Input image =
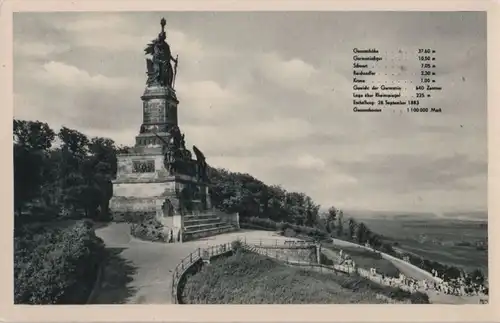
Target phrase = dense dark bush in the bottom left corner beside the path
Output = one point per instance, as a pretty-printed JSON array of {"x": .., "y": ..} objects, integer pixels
[{"x": 56, "y": 266}]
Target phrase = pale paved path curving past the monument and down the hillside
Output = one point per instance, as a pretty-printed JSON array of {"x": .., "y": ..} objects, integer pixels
[{"x": 140, "y": 272}]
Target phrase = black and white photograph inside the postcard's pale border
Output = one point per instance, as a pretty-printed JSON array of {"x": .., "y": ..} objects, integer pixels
[{"x": 250, "y": 157}]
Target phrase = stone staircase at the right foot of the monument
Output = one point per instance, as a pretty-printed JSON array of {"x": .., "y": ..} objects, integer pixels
[{"x": 205, "y": 225}]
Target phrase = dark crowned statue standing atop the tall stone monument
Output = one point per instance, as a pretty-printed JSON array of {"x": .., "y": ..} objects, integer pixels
[{"x": 160, "y": 71}]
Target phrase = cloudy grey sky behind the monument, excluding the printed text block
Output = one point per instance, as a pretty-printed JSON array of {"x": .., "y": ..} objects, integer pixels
[{"x": 270, "y": 94}]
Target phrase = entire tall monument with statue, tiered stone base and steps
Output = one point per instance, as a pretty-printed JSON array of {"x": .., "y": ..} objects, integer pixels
[{"x": 158, "y": 176}]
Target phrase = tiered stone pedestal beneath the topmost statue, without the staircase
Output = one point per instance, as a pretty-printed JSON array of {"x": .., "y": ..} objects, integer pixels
[{"x": 144, "y": 186}]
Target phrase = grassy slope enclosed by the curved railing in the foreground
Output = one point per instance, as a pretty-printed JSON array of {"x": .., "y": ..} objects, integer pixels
[{"x": 247, "y": 278}]
